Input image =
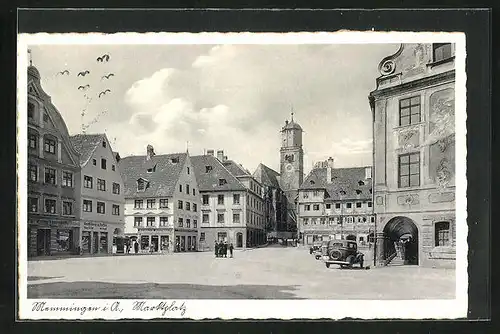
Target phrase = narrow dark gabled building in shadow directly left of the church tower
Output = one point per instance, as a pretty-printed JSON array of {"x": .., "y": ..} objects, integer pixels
[{"x": 275, "y": 204}]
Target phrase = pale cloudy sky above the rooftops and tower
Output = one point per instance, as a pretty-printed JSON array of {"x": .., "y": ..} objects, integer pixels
[{"x": 230, "y": 97}]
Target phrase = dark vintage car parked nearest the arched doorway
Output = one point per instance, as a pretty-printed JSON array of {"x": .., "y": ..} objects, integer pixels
[{"x": 342, "y": 252}]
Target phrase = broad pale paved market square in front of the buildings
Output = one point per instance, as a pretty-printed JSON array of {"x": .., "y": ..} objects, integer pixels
[{"x": 284, "y": 273}]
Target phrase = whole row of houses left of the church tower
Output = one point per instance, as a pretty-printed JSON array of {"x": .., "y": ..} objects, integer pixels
[{"x": 83, "y": 198}]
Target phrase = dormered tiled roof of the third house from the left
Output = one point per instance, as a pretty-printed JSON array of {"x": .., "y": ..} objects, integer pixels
[{"x": 161, "y": 182}]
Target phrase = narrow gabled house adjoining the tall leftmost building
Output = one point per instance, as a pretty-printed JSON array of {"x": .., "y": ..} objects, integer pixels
[{"x": 101, "y": 217}]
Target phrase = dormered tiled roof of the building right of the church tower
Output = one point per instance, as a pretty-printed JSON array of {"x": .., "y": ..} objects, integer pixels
[{"x": 350, "y": 180}]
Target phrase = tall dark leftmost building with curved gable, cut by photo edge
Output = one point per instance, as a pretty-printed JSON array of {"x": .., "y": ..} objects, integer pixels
[{"x": 53, "y": 177}]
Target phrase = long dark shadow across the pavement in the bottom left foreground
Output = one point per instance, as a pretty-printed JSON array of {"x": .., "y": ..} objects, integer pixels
[{"x": 102, "y": 290}]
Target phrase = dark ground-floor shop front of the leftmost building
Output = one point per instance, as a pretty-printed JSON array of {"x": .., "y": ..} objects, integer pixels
[{"x": 52, "y": 237}]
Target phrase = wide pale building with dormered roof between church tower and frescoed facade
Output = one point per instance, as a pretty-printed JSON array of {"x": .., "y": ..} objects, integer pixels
[{"x": 336, "y": 203}]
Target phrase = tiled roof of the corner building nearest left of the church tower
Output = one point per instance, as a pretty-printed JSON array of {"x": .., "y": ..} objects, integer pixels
[{"x": 210, "y": 181}]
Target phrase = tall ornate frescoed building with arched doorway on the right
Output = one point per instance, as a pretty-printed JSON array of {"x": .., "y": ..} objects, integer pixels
[{"x": 414, "y": 156}]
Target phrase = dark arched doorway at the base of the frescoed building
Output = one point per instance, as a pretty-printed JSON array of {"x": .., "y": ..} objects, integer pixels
[{"x": 402, "y": 238}]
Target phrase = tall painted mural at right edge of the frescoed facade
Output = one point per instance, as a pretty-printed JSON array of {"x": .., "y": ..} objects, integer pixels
[{"x": 441, "y": 138}]
